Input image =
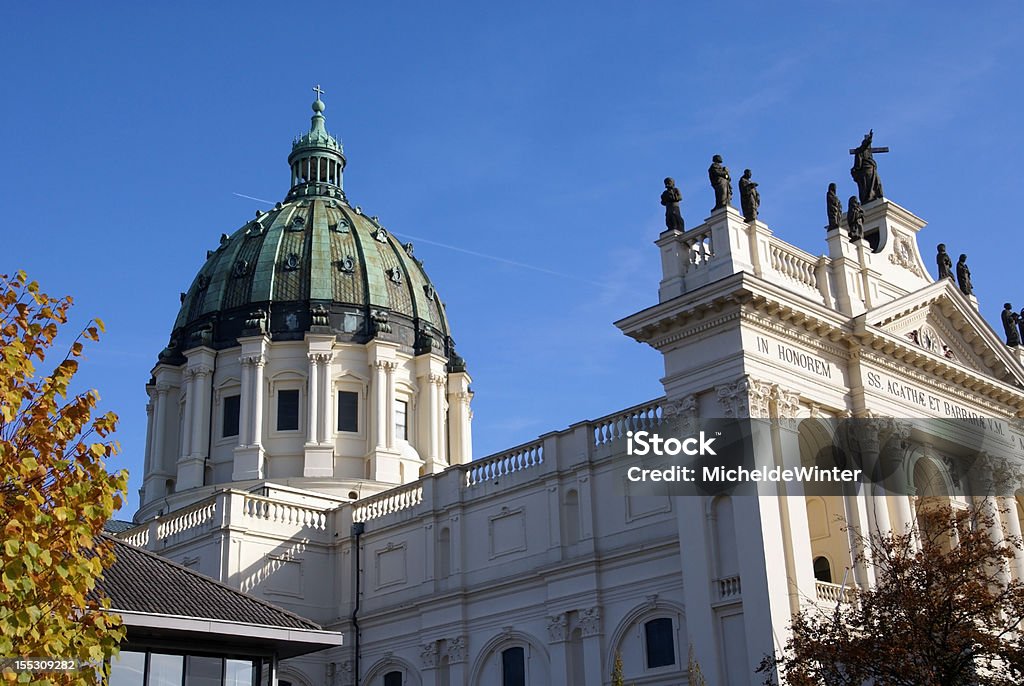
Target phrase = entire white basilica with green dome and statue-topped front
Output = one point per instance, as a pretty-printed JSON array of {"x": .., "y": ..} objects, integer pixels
[{"x": 310, "y": 444}]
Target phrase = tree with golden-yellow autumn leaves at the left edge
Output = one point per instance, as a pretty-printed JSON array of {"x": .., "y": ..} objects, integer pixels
[{"x": 57, "y": 492}]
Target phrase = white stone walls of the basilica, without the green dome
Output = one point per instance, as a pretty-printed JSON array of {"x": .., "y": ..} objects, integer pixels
[{"x": 544, "y": 547}]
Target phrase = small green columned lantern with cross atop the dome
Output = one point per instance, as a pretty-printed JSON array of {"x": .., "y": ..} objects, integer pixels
[{"x": 318, "y": 161}]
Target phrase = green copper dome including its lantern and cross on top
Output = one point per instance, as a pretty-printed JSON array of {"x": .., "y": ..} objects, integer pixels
[{"x": 314, "y": 264}]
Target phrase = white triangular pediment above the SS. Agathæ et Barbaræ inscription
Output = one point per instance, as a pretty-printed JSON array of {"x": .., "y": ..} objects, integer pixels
[{"x": 942, "y": 322}]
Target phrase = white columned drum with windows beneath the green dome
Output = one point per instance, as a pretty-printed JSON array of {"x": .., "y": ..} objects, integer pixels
[{"x": 188, "y": 451}]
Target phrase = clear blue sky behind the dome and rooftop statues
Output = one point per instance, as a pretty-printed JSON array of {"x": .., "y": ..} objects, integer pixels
[{"x": 536, "y": 134}]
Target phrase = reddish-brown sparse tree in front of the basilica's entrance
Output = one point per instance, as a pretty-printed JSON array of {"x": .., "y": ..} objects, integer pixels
[{"x": 943, "y": 613}]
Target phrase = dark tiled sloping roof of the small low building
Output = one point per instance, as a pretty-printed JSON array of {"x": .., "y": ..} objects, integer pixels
[{"x": 144, "y": 582}]
